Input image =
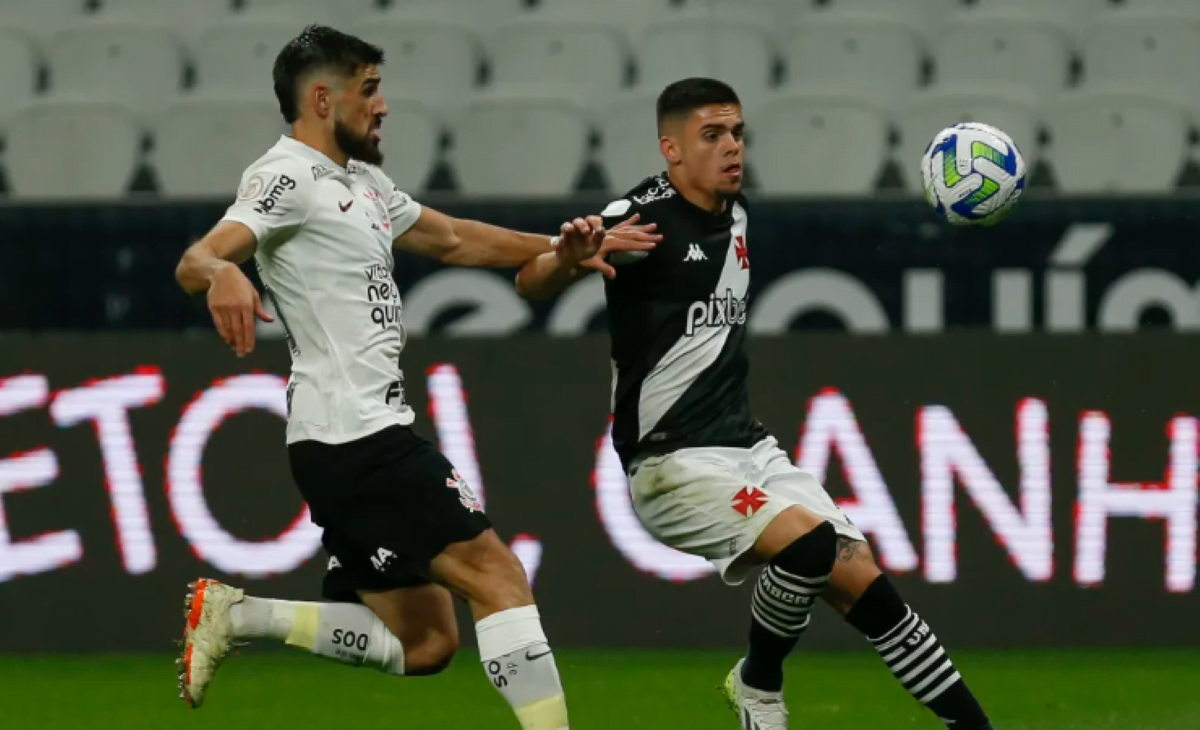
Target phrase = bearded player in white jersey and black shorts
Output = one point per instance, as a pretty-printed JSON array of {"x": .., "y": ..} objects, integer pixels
[{"x": 401, "y": 526}]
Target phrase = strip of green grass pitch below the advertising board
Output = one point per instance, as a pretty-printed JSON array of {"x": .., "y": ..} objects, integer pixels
[{"x": 607, "y": 691}]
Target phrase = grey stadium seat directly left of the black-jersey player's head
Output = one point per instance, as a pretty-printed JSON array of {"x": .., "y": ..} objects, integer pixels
[{"x": 629, "y": 142}]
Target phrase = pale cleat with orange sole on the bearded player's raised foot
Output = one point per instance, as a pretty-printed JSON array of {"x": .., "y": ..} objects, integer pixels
[{"x": 208, "y": 637}]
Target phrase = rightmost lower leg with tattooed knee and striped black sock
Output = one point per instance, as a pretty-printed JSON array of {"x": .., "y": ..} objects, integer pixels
[{"x": 873, "y": 606}]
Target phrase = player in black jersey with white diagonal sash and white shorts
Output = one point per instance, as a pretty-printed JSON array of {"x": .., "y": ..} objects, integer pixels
[{"x": 706, "y": 477}]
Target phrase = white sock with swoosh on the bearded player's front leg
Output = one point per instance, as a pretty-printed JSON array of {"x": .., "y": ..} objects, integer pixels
[{"x": 519, "y": 662}]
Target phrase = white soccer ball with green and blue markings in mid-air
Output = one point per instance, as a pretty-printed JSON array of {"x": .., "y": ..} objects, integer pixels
[{"x": 974, "y": 175}]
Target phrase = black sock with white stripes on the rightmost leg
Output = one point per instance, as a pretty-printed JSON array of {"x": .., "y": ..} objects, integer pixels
[{"x": 915, "y": 656}]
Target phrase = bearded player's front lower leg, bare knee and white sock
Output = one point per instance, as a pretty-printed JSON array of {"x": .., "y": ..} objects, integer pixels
[{"x": 513, "y": 645}]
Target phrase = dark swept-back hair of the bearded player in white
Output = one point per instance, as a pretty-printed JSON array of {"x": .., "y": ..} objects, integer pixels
[{"x": 316, "y": 49}]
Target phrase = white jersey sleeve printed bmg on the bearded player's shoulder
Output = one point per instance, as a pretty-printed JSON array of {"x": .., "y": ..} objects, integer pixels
[{"x": 274, "y": 198}]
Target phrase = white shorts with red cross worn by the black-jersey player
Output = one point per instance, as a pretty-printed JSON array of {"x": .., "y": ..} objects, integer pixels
[{"x": 716, "y": 502}]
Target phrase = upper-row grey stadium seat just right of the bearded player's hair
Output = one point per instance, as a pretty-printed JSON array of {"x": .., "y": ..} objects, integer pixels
[{"x": 434, "y": 61}]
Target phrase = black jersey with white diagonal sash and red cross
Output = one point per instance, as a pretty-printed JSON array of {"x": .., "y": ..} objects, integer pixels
[{"x": 677, "y": 321}]
